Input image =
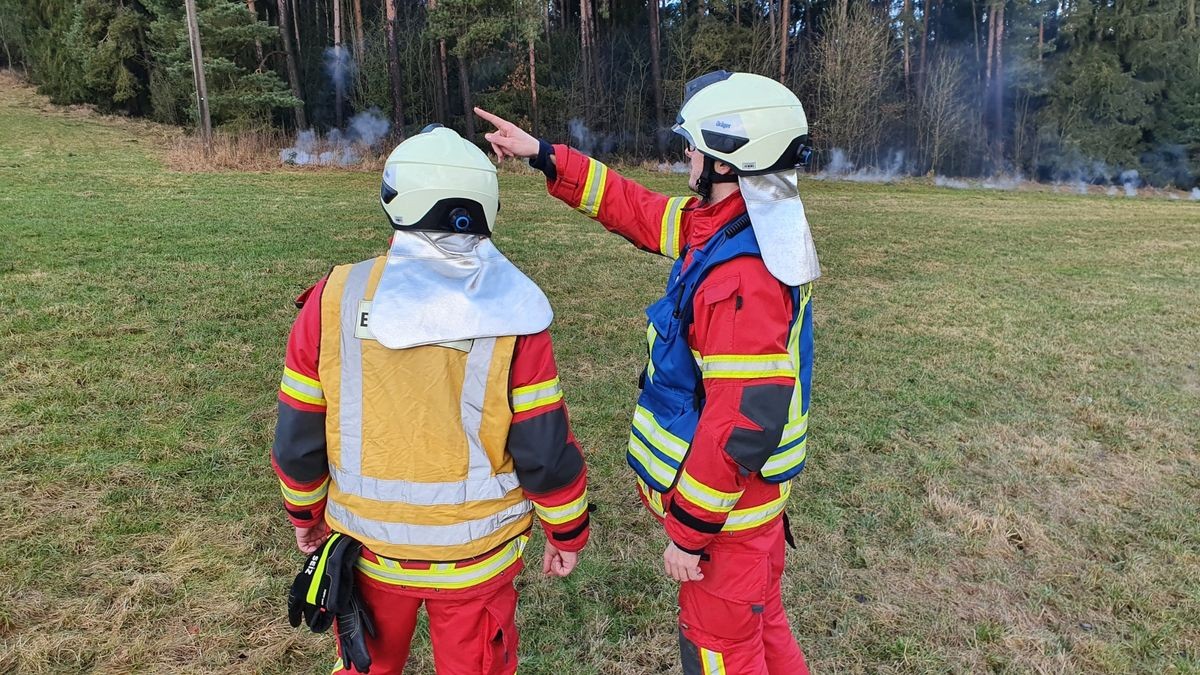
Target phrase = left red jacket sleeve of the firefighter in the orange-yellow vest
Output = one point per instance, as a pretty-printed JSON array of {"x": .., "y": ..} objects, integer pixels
[{"x": 298, "y": 455}]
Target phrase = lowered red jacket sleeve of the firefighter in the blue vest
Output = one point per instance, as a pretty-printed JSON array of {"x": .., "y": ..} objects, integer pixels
[{"x": 742, "y": 319}]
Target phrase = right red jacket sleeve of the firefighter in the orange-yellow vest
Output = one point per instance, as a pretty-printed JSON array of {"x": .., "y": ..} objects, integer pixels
[{"x": 548, "y": 461}]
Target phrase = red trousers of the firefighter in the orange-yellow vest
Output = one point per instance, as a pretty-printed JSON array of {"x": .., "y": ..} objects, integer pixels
[{"x": 475, "y": 631}]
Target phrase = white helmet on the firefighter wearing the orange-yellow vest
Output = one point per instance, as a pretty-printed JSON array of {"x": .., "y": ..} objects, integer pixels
[{"x": 439, "y": 182}]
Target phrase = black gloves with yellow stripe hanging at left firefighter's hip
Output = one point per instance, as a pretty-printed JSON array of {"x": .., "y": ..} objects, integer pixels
[{"x": 325, "y": 590}]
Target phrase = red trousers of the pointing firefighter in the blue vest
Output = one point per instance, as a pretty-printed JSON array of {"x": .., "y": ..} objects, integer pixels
[{"x": 733, "y": 622}]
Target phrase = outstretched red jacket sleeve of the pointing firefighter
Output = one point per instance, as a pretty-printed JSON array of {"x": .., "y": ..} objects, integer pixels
[{"x": 651, "y": 222}]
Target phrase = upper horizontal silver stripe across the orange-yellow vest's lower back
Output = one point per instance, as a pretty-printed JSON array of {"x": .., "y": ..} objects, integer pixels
[{"x": 410, "y": 493}]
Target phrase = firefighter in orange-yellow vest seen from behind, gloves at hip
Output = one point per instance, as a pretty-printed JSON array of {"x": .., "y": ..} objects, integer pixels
[{"x": 422, "y": 429}]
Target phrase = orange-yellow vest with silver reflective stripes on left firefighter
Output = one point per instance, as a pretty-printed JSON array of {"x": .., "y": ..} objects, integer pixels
[{"x": 417, "y": 439}]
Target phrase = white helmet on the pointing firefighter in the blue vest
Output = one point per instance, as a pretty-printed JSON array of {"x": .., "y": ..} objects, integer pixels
[{"x": 753, "y": 123}]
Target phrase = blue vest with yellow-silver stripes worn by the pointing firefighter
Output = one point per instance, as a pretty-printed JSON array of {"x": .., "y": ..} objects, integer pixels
[{"x": 673, "y": 390}]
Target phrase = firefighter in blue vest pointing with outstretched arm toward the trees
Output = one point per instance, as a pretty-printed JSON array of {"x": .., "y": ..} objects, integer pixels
[{"x": 721, "y": 427}]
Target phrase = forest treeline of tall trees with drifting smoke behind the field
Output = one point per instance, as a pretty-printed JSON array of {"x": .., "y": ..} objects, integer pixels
[{"x": 1048, "y": 89}]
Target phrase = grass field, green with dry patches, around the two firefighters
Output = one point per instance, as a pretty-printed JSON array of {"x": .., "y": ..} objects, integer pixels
[{"x": 1004, "y": 471}]
